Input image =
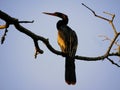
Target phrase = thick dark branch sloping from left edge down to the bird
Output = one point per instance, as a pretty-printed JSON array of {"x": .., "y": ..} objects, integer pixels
[{"x": 35, "y": 37}]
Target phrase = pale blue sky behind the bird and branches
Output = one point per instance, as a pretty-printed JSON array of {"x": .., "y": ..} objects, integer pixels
[{"x": 20, "y": 71}]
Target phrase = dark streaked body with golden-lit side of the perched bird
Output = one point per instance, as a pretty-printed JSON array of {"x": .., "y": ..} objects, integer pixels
[{"x": 67, "y": 40}]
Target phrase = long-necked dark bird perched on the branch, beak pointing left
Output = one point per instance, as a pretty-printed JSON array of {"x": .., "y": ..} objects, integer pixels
[{"x": 67, "y": 40}]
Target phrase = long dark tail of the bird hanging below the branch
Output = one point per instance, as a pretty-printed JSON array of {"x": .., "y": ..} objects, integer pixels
[{"x": 70, "y": 76}]
